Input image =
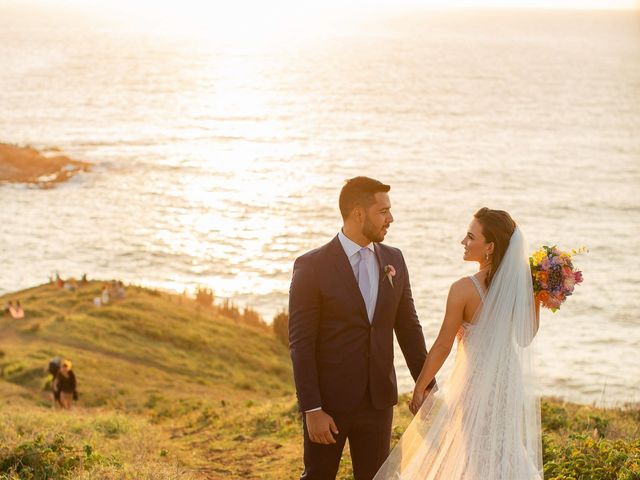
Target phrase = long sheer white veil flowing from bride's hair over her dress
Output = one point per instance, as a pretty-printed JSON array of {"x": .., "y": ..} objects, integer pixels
[{"x": 484, "y": 423}]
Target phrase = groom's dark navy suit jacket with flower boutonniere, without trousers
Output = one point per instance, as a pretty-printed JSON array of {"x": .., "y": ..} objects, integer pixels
[{"x": 337, "y": 354}]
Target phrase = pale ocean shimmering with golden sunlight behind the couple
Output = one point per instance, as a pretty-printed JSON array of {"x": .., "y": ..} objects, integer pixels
[{"x": 218, "y": 160}]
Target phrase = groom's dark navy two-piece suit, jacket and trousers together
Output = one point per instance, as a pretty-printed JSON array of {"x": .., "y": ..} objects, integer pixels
[{"x": 343, "y": 363}]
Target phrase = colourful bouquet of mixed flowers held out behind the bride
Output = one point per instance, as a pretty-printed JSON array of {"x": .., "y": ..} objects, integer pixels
[{"x": 554, "y": 275}]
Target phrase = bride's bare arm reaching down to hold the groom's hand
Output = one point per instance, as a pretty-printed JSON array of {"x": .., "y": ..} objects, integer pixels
[{"x": 442, "y": 346}]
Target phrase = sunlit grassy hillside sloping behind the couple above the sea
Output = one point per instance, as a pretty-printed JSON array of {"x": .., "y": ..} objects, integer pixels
[{"x": 169, "y": 389}]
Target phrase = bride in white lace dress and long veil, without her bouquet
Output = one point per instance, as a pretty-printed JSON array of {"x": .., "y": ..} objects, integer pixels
[{"x": 485, "y": 422}]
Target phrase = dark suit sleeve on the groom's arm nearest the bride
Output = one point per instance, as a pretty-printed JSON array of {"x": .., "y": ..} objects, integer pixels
[{"x": 409, "y": 331}]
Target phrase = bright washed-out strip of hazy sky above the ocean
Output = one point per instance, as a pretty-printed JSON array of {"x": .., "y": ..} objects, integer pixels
[{"x": 252, "y": 19}]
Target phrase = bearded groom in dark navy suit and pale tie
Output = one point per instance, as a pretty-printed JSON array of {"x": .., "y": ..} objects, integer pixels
[{"x": 346, "y": 300}]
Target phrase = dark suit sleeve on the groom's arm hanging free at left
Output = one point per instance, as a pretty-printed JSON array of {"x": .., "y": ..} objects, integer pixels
[{"x": 304, "y": 318}]
